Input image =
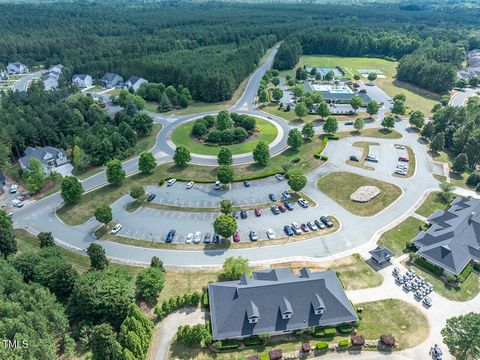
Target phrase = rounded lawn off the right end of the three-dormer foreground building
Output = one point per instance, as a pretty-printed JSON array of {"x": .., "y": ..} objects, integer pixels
[{"x": 404, "y": 321}]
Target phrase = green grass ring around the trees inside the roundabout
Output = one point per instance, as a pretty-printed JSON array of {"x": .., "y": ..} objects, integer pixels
[{"x": 182, "y": 137}]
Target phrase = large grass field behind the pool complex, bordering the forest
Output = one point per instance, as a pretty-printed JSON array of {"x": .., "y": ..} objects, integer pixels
[{"x": 417, "y": 99}]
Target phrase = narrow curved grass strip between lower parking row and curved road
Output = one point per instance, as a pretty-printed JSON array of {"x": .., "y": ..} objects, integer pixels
[{"x": 226, "y": 244}]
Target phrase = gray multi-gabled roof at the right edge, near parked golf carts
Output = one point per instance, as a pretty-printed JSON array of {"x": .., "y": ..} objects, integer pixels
[{"x": 453, "y": 239}]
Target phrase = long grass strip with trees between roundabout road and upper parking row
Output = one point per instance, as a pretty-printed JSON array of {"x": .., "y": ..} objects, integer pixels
[{"x": 302, "y": 159}]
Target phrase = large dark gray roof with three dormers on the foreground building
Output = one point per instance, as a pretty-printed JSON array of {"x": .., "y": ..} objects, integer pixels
[{"x": 276, "y": 301}]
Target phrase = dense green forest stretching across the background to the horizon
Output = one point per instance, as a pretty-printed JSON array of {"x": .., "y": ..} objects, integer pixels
[{"x": 211, "y": 48}]
